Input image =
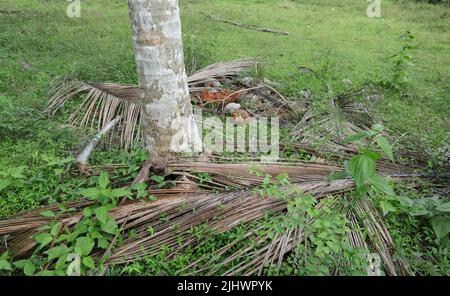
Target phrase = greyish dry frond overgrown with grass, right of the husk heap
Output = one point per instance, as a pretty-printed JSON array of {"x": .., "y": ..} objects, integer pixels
[{"x": 323, "y": 133}]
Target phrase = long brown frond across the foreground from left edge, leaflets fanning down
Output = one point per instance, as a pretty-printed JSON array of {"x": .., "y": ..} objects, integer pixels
[{"x": 222, "y": 212}]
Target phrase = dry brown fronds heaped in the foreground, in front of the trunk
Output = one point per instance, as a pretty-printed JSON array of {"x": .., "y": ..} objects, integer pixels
[{"x": 220, "y": 211}]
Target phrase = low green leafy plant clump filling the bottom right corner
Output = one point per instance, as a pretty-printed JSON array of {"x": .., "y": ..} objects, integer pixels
[{"x": 412, "y": 231}]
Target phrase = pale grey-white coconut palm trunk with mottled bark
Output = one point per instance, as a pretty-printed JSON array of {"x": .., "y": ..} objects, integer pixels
[{"x": 167, "y": 118}]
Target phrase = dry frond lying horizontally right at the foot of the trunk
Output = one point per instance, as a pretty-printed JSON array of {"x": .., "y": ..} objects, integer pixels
[{"x": 238, "y": 175}]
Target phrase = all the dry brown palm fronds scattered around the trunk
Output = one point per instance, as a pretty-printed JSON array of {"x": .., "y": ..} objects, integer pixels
[{"x": 219, "y": 192}]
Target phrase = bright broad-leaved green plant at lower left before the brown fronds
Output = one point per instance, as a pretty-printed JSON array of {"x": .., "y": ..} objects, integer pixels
[{"x": 63, "y": 251}]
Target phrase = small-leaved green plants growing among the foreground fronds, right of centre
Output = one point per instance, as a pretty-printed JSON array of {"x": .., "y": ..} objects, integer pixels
[{"x": 325, "y": 231}]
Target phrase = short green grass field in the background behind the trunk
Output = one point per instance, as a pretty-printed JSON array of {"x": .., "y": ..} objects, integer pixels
[{"x": 336, "y": 35}]
